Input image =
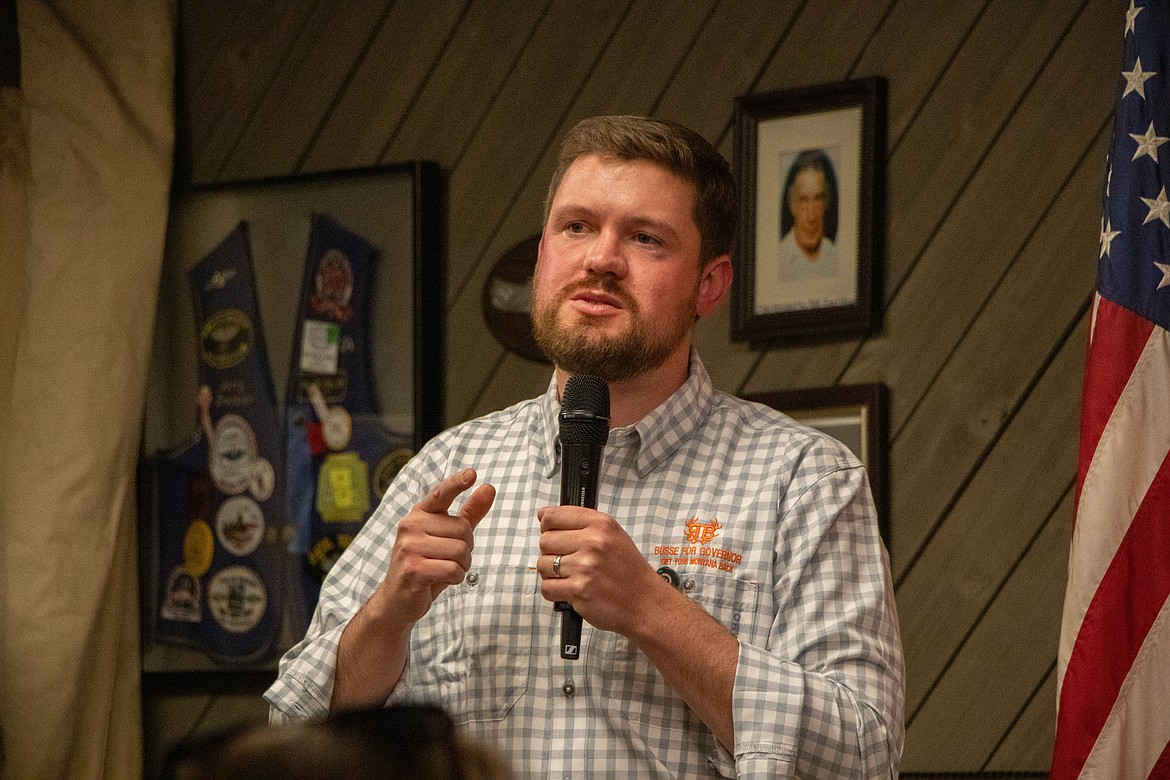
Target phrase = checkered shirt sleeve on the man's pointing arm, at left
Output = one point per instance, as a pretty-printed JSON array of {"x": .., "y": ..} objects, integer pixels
[{"x": 305, "y": 681}]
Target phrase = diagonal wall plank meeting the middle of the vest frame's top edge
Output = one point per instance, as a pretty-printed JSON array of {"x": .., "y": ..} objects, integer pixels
[{"x": 377, "y": 100}]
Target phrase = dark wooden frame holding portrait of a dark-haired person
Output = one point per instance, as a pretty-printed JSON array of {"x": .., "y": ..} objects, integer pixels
[{"x": 783, "y": 142}]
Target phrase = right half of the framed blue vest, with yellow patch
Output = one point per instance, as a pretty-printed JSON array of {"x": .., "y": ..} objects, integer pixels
[{"x": 341, "y": 455}]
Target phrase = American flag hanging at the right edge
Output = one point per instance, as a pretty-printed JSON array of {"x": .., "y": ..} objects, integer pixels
[{"x": 1113, "y": 668}]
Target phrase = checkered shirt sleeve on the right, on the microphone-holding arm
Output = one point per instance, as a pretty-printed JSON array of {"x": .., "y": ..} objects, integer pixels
[{"x": 824, "y": 698}]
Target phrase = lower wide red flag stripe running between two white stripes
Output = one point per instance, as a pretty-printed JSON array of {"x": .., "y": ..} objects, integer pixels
[{"x": 1118, "y": 619}]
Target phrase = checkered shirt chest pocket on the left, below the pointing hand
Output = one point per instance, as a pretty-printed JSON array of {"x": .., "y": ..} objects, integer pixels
[{"x": 471, "y": 652}]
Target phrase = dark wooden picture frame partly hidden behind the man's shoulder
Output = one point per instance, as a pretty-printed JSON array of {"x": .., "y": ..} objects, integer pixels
[{"x": 857, "y": 416}]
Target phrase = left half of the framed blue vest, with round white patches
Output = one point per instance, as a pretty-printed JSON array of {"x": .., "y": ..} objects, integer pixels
[{"x": 221, "y": 499}]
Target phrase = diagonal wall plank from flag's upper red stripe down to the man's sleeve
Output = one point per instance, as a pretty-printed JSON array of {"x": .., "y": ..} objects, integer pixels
[{"x": 1010, "y": 496}]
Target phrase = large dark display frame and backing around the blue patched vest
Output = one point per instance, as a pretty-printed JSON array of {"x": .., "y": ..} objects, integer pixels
[{"x": 397, "y": 209}]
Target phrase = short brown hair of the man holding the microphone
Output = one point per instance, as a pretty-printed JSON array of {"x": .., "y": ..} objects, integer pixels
[{"x": 676, "y": 148}]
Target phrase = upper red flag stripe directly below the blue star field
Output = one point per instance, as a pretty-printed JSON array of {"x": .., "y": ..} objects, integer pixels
[{"x": 1119, "y": 337}]
